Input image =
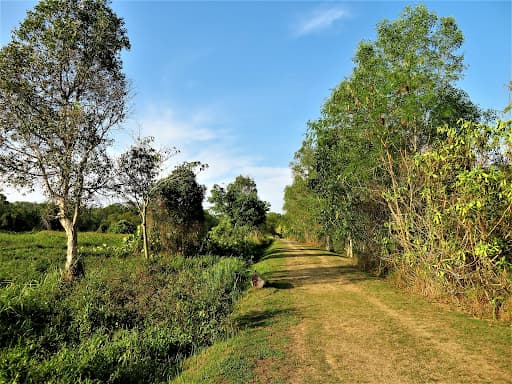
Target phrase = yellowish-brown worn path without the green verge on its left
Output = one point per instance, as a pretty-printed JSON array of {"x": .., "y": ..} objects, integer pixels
[{"x": 352, "y": 328}]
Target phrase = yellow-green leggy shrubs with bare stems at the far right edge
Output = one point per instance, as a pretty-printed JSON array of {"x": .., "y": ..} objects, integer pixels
[{"x": 452, "y": 213}]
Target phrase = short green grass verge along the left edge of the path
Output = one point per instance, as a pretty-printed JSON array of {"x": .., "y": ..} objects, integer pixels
[{"x": 259, "y": 322}]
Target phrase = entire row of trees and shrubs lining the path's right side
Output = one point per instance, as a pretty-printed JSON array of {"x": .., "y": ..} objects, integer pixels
[{"x": 404, "y": 171}]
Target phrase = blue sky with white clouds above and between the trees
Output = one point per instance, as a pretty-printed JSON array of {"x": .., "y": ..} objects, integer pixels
[{"x": 233, "y": 84}]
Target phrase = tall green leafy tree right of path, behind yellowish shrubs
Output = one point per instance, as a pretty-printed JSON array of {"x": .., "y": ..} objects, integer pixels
[{"x": 402, "y": 87}]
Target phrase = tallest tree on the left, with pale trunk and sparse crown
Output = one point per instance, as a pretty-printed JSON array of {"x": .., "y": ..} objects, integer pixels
[{"x": 62, "y": 90}]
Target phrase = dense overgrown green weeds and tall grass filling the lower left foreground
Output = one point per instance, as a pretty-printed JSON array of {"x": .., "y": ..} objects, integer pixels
[{"x": 126, "y": 322}]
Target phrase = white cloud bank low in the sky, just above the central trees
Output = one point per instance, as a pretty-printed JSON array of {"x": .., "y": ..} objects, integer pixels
[{"x": 201, "y": 136}]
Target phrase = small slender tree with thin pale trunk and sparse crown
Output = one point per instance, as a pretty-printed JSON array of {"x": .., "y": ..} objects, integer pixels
[{"x": 137, "y": 175}]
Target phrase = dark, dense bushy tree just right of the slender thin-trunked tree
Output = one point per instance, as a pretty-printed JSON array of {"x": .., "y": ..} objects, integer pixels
[{"x": 178, "y": 208}]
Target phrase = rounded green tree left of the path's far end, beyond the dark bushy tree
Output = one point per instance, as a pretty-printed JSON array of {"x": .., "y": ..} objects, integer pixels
[{"x": 239, "y": 202}]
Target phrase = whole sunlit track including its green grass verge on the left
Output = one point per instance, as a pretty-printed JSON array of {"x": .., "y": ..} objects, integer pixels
[{"x": 323, "y": 321}]
